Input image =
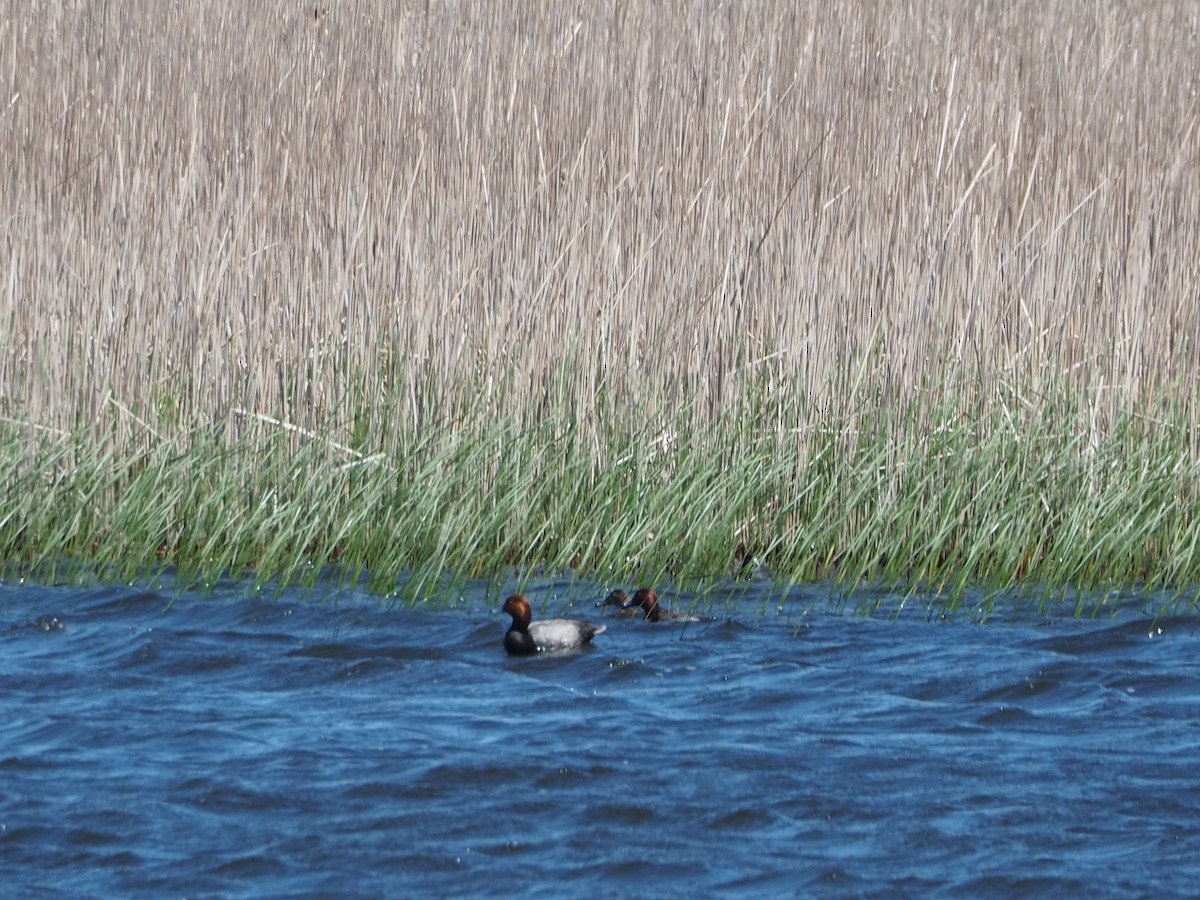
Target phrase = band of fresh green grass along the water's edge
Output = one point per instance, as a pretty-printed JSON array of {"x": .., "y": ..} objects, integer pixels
[{"x": 999, "y": 497}]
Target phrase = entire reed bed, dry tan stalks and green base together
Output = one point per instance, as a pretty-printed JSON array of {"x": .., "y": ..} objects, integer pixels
[{"x": 679, "y": 290}]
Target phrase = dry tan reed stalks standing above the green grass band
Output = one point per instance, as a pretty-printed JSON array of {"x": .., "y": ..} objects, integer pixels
[{"x": 415, "y": 209}]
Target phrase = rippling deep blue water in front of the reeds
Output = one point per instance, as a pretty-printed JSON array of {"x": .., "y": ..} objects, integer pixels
[{"x": 230, "y": 745}]
